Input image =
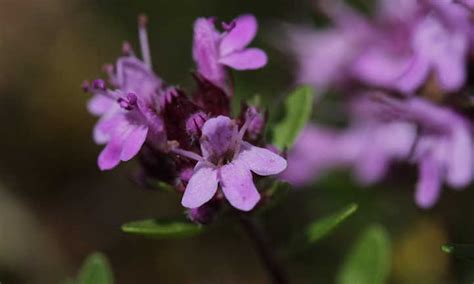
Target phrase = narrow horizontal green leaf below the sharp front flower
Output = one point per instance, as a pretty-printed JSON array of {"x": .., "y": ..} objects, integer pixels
[{"x": 162, "y": 228}]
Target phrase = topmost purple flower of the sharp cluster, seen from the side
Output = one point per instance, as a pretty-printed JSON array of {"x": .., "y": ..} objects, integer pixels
[{"x": 213, "y": 51}]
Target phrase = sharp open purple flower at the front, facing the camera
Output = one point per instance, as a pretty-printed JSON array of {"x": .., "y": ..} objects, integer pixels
[{"x": 228, "y": 161}]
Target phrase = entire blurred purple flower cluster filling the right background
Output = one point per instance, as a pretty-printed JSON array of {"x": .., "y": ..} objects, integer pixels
[{"x": 406, "y": 75}]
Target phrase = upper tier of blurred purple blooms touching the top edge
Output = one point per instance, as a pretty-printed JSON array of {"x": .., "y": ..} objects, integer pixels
[{"x": 406, "y": 43}]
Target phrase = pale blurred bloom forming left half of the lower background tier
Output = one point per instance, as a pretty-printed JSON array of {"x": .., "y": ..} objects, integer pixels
[{"x": 367, "y": 148}]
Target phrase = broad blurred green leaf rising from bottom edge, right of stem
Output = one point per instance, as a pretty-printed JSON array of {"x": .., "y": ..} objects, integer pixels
[{"x": 369, "y": 259}]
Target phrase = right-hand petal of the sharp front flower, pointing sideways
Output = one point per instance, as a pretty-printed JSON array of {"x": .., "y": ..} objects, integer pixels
[{"x": 261, "y": 161}]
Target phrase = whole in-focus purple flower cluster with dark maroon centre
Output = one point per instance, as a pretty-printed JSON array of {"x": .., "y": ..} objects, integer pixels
[{"x": 188, "y": 141}]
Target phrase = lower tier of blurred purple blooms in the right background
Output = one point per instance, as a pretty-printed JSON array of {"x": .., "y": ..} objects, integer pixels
[{"x": 387, "y": 130}]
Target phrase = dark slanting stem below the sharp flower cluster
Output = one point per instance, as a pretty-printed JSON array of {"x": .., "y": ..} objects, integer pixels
[{"x": 262, "y": 246}]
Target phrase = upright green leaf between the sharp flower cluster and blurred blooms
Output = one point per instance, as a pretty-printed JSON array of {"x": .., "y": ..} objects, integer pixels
[{"x": 298, "y": 107}]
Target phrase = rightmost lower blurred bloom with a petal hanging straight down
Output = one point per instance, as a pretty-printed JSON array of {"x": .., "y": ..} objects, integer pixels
[{"x": 444, "y": 150}]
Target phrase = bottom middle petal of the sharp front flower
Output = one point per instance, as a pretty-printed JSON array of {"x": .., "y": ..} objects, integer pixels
[{"x": 238, "y": 187}]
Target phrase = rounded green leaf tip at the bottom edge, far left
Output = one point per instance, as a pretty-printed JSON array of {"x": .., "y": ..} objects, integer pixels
[{"x": 95, "y": 270}]
